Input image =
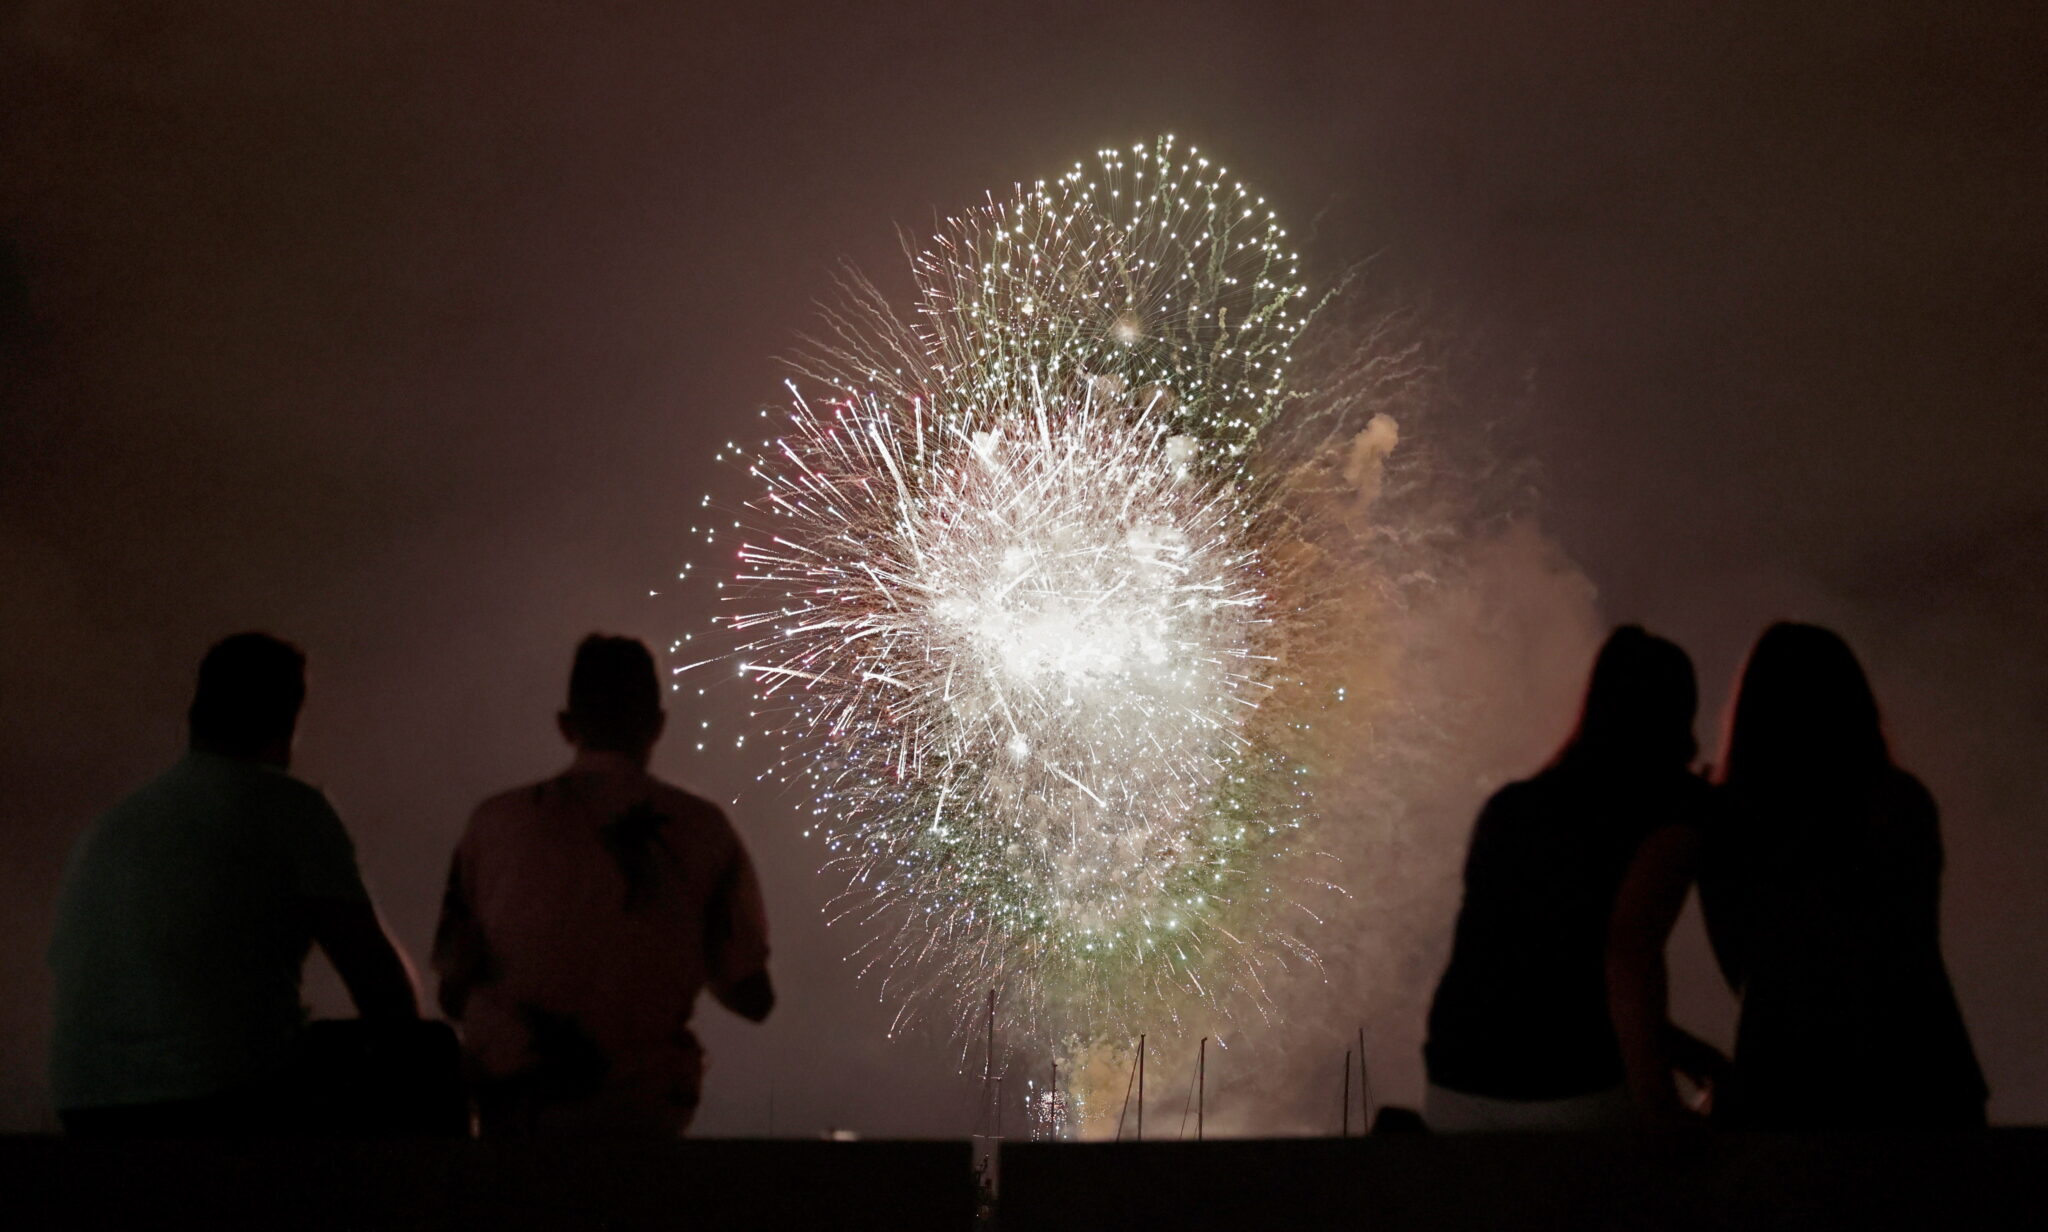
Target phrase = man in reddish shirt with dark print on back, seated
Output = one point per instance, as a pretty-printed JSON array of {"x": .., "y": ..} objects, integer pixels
[{"x": 583, "y": 918}]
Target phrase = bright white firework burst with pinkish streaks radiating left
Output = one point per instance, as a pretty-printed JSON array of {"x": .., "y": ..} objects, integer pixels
[{"x": 1058, "y": 633}]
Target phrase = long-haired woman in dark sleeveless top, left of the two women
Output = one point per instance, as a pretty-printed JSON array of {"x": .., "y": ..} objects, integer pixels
[{"x": 1521, "y": 1030}]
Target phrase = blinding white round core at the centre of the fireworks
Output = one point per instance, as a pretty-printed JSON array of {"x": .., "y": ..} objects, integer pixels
[{"x": 1089, "y": 617}]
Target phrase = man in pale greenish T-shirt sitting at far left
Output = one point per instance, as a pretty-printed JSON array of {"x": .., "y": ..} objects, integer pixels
[{"x": 187, "y": 914}]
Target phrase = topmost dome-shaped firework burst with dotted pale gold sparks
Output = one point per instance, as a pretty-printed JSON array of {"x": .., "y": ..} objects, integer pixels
[{"x": 1148, "y": 271}]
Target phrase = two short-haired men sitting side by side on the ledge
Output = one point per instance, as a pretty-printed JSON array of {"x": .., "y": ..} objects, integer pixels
[{"x": 581, "y": 922}]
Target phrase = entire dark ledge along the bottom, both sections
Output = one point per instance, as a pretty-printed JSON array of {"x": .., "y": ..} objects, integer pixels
[{"x": 1486, "y": 1184}]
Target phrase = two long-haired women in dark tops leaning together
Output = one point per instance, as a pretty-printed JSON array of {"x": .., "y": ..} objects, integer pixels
[{"x": 1820, "y": 879}]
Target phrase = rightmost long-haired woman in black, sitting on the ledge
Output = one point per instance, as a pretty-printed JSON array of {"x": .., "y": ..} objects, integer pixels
[{"x": 1822, "y": 897}]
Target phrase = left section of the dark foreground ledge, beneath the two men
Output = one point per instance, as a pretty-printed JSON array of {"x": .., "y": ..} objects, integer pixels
[{"x": 486, "y": 1188}]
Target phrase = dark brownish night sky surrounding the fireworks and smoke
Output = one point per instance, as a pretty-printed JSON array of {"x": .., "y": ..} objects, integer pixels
[{"x": 409, "y": 328}]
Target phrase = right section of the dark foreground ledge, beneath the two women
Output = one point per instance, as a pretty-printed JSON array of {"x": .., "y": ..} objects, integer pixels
[{"x": 1558, "y": 1182}]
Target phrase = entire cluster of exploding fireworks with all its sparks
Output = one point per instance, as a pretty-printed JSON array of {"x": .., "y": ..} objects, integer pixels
[{"x": 1031, "y": 597}]
